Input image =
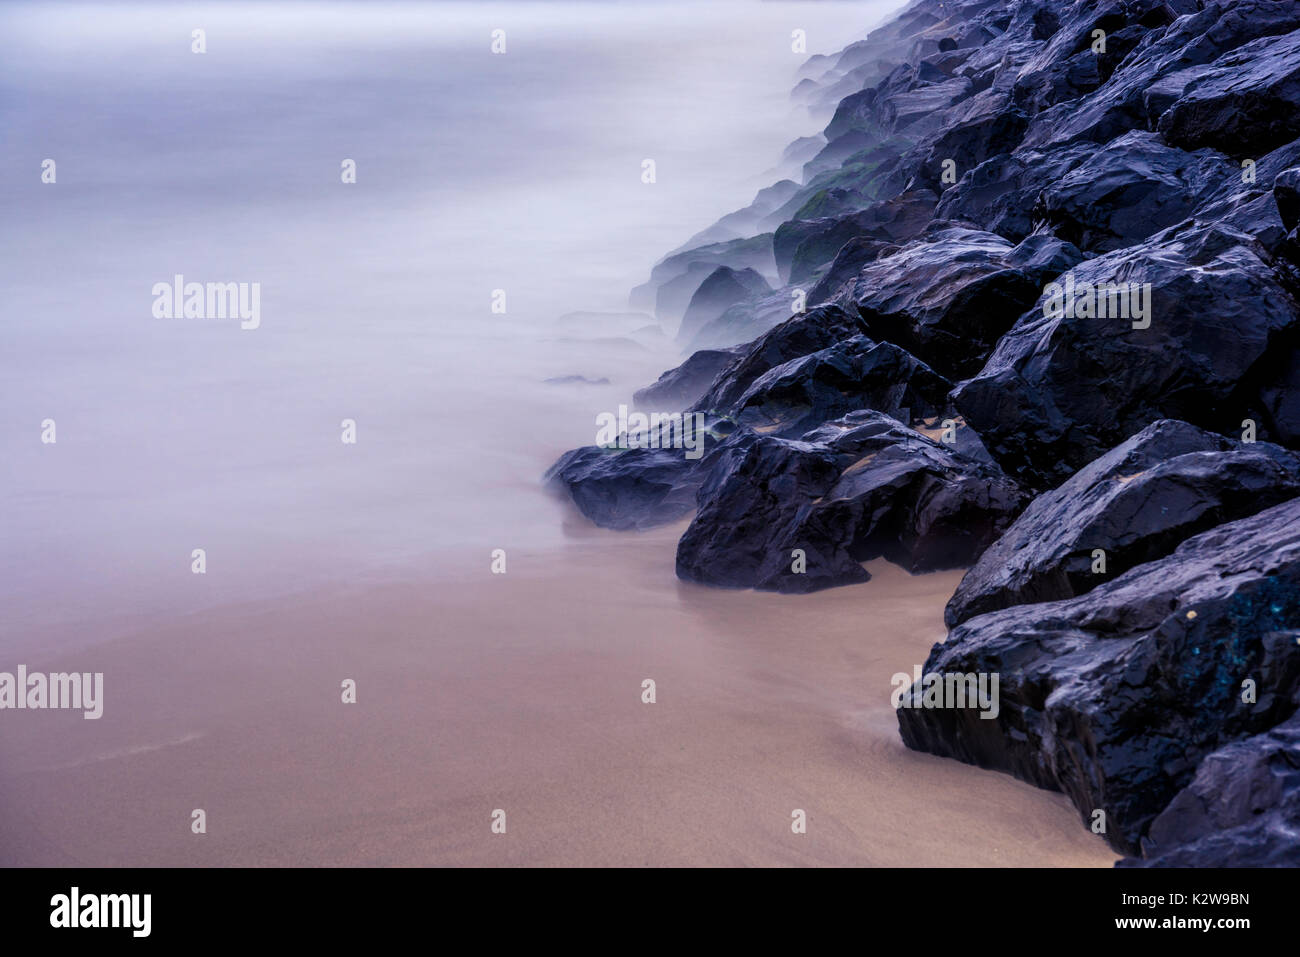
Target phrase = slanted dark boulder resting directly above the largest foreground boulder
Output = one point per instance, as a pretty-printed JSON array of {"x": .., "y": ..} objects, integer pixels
[{"x": 1137, "y": 504}]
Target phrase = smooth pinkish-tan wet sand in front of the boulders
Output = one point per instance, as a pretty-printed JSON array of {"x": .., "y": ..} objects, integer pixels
[{"x": 521, "y": 692}]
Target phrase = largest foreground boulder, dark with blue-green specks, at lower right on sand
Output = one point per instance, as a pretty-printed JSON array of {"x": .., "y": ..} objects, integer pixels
[{"x": 1115, "y": 698}]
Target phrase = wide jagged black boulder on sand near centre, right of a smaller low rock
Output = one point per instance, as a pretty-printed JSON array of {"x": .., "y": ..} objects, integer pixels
[{"x": 852, "y": 491}]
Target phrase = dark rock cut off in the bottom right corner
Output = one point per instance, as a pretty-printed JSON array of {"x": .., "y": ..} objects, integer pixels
[{"x": 1241, "y": 811}]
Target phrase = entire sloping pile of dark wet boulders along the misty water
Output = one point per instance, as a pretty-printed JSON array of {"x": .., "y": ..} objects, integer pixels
[{"x": 1034, "y": 295}]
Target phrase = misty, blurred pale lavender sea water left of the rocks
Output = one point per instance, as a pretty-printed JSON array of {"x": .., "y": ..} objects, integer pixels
[{"x": 475, "y": 172}]
